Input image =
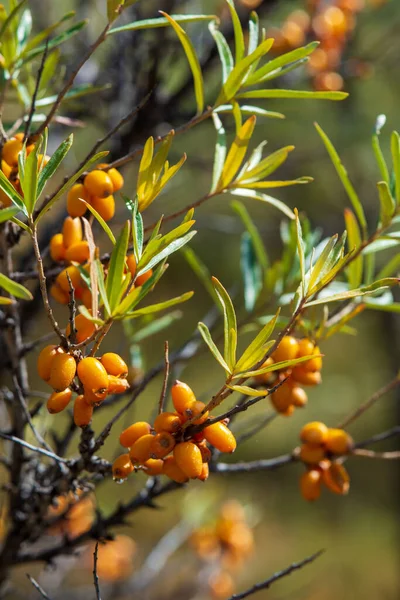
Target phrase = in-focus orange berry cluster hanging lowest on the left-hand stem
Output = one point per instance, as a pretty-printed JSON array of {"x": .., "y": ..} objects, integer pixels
[{"x": 97, "y": 379}]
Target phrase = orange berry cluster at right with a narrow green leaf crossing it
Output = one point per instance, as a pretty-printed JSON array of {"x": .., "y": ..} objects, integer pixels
[{"x": 290, "y": 394}]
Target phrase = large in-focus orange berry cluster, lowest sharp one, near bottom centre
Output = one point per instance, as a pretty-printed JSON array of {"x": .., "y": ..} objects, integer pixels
[{"x": 162, "y": 449}]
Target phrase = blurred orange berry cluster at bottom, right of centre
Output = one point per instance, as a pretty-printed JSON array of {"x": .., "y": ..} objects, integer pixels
[{"x": 227, "y": 544}]
